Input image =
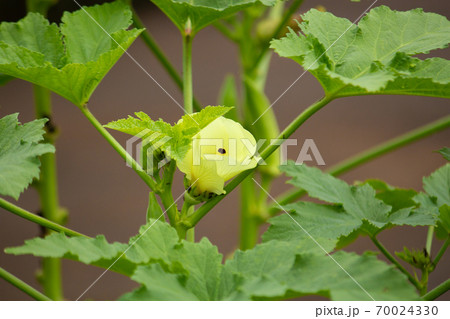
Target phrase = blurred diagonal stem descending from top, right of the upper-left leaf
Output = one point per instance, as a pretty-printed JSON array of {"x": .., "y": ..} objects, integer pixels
[{"x": 161, "y": 56}]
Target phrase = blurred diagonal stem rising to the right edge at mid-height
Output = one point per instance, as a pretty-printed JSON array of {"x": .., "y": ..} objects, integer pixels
[{"x": 369, "y": 155}]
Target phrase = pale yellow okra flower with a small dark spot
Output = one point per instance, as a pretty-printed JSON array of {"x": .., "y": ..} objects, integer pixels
[{"x": 219, "y": 152}]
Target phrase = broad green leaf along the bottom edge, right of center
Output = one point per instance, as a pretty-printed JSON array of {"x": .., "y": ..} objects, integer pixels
[{"x": 273, "y": 270}]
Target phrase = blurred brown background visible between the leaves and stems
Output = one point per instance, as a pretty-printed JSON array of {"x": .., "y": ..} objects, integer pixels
[{"x": 104, "y": 196}]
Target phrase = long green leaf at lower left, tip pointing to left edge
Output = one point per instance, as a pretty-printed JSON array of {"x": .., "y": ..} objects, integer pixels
[{"x": 153, "y": 243}]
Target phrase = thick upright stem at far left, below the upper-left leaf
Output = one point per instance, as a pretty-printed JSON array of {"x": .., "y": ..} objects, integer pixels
[{"x": 48, "y": 194}]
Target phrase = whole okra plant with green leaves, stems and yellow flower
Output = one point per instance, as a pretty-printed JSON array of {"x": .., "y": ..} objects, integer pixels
[{"x": 235, "y": 144}]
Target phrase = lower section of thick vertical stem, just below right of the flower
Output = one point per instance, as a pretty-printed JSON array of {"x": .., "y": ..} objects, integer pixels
[{"x": 249, "y": 225}]
